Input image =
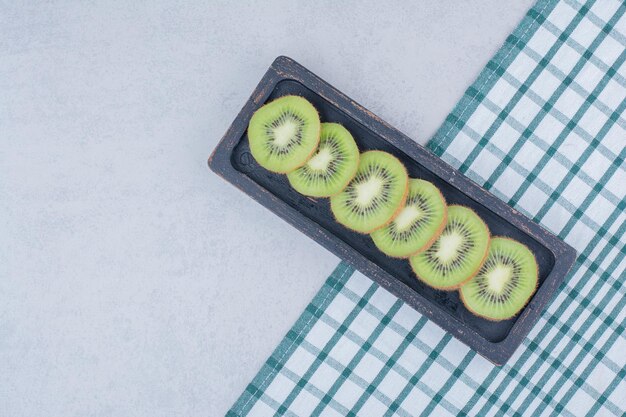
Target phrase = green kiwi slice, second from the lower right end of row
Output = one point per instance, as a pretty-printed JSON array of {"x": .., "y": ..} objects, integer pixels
[{"x": 457, "y": 254}]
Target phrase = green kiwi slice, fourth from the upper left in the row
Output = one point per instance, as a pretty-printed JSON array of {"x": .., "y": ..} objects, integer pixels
[{"x": 418, "y": 224}]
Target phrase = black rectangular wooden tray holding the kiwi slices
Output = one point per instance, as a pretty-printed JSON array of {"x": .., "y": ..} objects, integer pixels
[{"x": 232, "y": 160}]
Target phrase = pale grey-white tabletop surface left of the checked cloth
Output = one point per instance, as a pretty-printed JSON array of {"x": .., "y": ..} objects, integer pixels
[{"x": 134, "y": 282}]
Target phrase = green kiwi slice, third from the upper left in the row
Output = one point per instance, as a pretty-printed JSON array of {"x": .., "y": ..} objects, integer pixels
[{"x": 374, "y": 196}]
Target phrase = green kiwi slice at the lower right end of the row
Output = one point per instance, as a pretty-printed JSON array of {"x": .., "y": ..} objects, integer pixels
[{"x": 505, "y": 282}]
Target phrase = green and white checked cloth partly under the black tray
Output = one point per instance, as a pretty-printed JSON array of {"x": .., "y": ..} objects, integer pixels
[{"x": 542, "y": 128}]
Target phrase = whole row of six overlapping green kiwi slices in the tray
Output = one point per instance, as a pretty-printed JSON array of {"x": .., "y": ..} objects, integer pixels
[{"x": 448, "y": 247}]
